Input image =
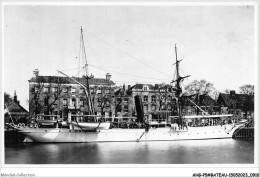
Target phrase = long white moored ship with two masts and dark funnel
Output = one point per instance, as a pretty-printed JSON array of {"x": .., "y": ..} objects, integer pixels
[{"x": 102, "y": 130}]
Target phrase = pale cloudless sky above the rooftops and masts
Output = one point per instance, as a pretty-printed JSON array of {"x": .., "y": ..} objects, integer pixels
[{"x": 135, "y": 44}]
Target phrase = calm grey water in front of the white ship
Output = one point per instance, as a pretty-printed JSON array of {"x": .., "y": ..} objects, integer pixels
[{"x": 216, "y": 151}]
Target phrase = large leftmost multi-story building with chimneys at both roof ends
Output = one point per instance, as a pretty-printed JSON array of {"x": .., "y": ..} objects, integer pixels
[{"x": 55, "y": 95}]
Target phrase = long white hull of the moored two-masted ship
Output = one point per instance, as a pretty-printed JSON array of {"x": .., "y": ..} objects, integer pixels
[{"x": 126, "y": 135}]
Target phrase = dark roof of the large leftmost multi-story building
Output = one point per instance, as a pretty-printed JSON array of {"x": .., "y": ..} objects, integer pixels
[{"x": 67, "y": 80}]
